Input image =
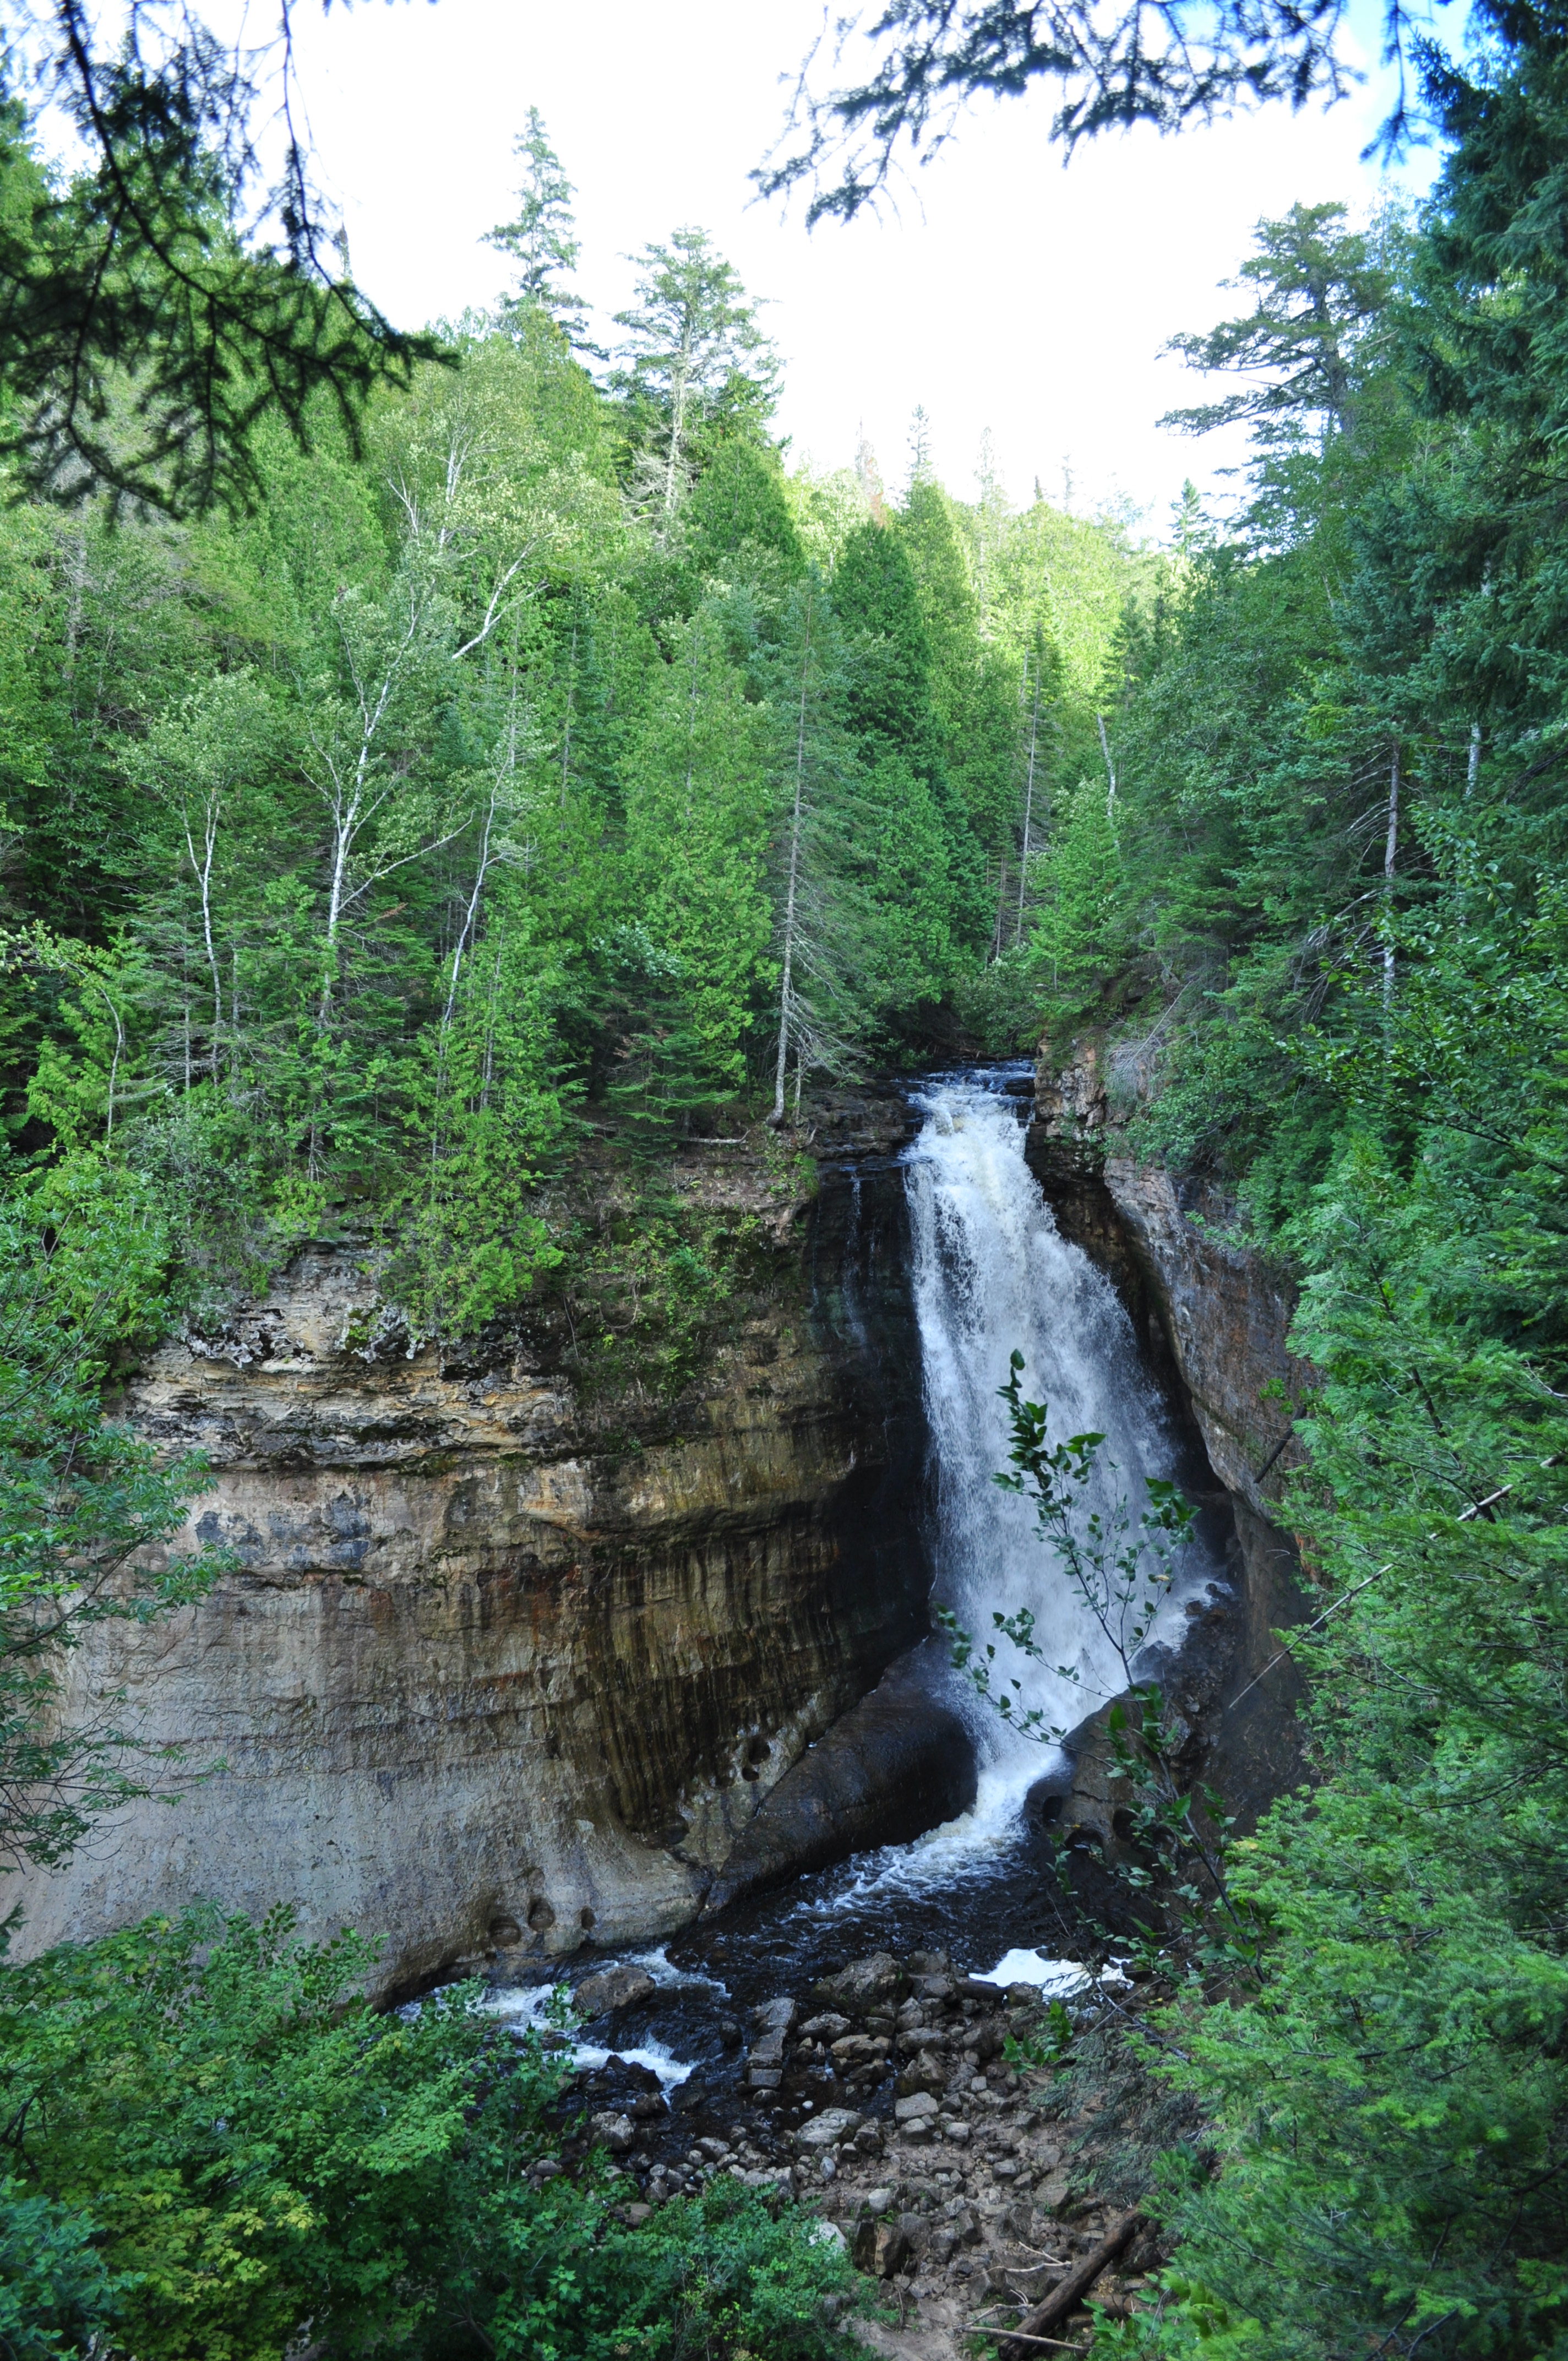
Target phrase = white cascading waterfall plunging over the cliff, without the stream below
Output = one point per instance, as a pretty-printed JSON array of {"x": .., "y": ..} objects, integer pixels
[{"x": 995, "y": 1276}]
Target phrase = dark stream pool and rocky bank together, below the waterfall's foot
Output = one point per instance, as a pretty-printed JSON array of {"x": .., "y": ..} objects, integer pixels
[{"x": 839, "y": 2046}]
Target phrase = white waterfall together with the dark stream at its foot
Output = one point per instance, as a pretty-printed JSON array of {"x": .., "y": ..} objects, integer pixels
[{"x": 988, "y": 1276}]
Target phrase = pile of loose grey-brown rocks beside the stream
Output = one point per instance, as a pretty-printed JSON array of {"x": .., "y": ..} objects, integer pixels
[{"x": 884, "y": 2098}]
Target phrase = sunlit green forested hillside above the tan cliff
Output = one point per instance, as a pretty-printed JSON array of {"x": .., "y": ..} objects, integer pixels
[{"x": 563, "y": 761}]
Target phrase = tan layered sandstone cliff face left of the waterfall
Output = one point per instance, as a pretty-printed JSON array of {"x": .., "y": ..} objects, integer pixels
[{"x": 502, "y": 1673}]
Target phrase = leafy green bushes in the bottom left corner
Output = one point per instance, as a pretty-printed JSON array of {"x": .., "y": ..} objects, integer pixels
[{"x": 251, "y": 2150}]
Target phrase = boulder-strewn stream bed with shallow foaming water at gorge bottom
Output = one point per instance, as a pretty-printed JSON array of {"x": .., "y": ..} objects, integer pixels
[{"x": 884, "y": 2098}]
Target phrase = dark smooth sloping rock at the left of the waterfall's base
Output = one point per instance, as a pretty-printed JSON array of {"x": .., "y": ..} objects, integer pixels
[{"x": 887, "y": 1772}]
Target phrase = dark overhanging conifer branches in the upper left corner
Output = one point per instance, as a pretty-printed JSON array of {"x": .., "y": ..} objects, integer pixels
[{"x": 150, "y": 344}]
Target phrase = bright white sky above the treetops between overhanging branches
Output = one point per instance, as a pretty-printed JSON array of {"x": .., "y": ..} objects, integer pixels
[{"x": 1012, "y": 294}]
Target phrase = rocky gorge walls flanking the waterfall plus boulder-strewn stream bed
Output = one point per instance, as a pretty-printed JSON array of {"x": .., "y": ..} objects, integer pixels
[{"x": 523, "y": 1673}]
